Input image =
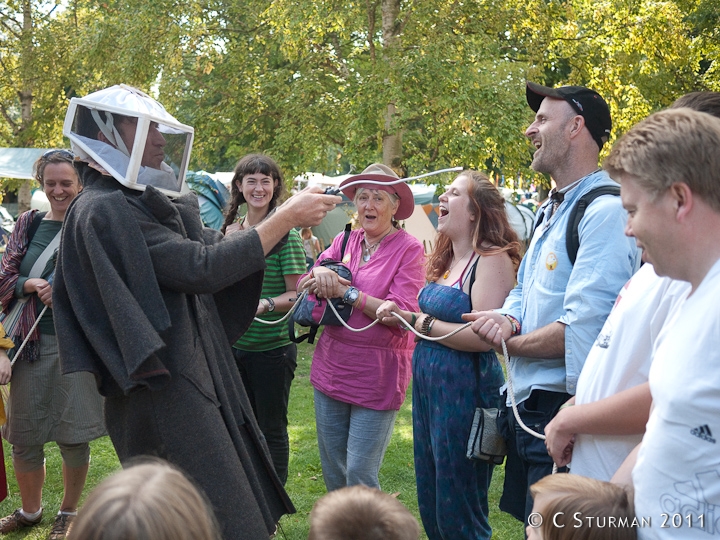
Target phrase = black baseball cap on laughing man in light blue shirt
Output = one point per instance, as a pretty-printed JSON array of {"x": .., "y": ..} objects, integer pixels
[{"x": 587, "y": 103}]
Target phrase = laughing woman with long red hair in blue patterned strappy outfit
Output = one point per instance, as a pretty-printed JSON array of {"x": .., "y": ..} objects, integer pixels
[{"x": 473, "y": 267}]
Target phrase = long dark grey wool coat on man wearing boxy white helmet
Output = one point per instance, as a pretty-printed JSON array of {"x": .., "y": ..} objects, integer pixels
[{"x": 150, "y": 301}]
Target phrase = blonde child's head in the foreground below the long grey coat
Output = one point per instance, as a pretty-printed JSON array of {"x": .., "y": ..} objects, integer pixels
[{"x": 148, "y": 501}]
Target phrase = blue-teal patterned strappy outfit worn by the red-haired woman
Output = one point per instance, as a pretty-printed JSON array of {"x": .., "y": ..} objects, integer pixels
[{"x": 452, "y": 490}]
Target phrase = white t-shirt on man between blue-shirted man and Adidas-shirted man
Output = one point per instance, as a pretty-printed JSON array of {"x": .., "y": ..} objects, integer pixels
[{"x": 620, "y": 359}]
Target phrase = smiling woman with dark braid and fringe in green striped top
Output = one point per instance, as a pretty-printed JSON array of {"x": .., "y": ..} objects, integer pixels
[{"x": 265, "y": 355}]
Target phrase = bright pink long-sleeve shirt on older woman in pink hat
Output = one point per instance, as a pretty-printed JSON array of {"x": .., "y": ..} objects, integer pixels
[{"x": 372, "y": 368}]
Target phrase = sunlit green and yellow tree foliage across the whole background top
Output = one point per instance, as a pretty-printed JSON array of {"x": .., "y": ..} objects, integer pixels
[{"x": 321, "y": 84}]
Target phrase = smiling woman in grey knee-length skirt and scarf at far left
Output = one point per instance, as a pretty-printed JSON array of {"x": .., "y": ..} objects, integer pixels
[{"x": 44, "y": 404}]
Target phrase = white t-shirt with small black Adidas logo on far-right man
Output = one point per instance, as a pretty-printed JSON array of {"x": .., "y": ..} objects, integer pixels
[{"x": 677, "y": 474}]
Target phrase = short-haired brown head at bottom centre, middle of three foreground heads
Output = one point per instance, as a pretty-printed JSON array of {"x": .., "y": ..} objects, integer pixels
[{"x": 361, "y": 513}]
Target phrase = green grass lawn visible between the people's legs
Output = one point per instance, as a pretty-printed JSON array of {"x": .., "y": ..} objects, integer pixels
[{"x": 305, "y": 483}]
